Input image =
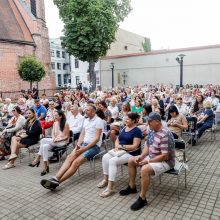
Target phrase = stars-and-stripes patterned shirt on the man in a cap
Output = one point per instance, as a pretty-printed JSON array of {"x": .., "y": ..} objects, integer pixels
[{"x": 161, "y": 142}]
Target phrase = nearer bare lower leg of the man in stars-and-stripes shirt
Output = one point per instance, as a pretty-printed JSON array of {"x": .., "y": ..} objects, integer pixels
[{"x": 146, "y": 173}]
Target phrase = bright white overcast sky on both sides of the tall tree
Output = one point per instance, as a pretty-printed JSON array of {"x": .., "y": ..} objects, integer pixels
[{"x": 169, "y": 24}]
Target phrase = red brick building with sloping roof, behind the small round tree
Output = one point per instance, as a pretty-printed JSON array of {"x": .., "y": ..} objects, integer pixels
[{"x": 23, "y": 31}]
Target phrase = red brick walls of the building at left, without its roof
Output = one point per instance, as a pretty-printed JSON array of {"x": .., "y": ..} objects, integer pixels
[{"x": 10, "y": 53}]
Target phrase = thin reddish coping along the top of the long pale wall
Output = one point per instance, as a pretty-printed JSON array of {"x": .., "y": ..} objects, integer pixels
[{"x": 155, "y": 52}]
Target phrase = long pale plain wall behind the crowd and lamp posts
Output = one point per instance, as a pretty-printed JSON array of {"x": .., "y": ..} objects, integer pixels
[{"x": 201, "y": 65}]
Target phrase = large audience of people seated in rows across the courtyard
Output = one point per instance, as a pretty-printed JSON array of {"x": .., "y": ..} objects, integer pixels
[{"x": 121, "y": 115}]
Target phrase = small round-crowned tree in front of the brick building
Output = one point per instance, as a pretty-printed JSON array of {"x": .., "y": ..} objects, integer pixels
[{"x": 31, "y": 70}]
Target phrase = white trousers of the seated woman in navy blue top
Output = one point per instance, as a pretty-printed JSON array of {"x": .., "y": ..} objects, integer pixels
[{"x": 110, "y": 164}]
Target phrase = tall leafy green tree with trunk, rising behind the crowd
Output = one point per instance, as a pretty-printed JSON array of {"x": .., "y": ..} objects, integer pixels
[{"x": 90, "y": 27}]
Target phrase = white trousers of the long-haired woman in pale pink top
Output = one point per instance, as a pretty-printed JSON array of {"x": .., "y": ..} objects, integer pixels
[{"x": 47, "y": 144}]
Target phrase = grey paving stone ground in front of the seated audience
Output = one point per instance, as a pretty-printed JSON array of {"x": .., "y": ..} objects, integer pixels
[{"x": 22, "y": 197}]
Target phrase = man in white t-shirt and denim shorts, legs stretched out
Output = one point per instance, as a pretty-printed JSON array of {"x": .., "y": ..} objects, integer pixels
[{"x": 87, "y": 147}]
